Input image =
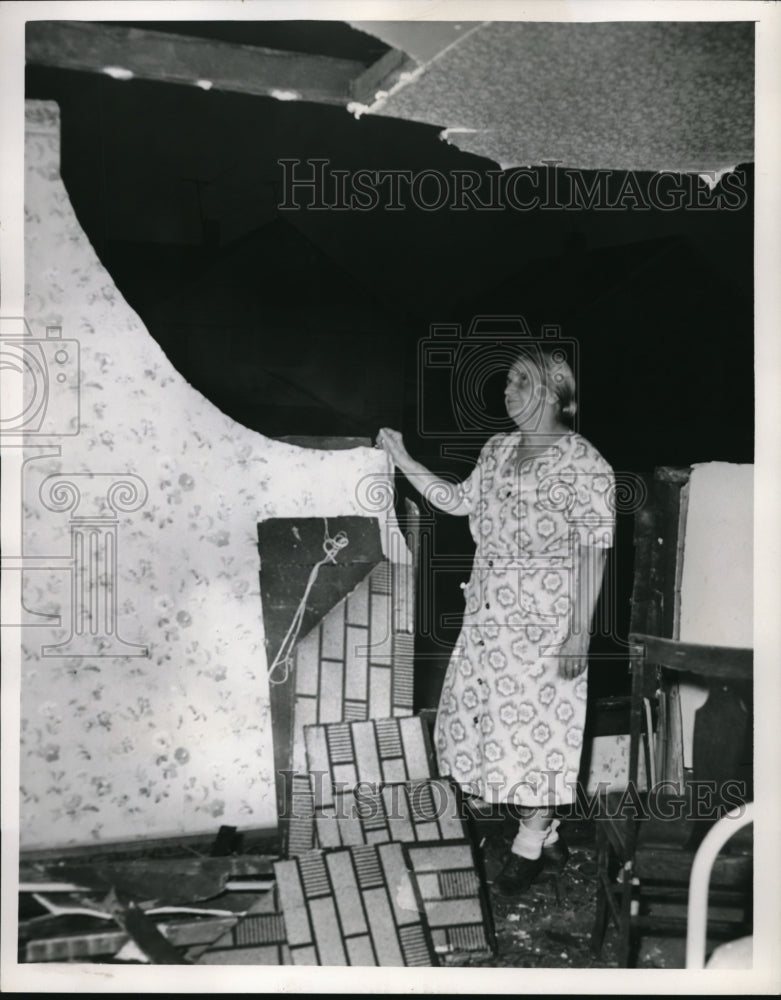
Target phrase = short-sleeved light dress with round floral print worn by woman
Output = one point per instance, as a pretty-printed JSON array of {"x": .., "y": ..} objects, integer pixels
[{"x": 509, "y": 728}]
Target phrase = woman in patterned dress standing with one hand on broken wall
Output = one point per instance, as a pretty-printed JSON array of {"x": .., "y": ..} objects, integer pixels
[{"x": 509, "y": 726}]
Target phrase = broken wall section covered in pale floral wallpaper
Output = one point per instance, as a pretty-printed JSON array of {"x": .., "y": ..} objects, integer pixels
[{"x": 140, "y": 507}]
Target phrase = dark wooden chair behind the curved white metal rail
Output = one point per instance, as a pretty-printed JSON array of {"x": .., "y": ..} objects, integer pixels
[{"x": 646, "y": 841}]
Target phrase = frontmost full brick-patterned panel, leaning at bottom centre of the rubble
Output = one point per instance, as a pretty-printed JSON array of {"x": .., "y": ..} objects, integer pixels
[{"x": 353, "y": 906}]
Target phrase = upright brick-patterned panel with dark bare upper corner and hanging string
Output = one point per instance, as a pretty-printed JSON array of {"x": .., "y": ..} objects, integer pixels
[{"x": 356, "y": 663}]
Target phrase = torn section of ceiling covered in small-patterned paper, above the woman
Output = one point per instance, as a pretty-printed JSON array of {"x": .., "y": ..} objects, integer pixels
[{"x": 644, "y": 96}]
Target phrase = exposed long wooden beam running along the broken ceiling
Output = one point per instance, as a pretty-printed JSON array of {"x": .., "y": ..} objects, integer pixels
[{"x": 183, "y": 59}]
